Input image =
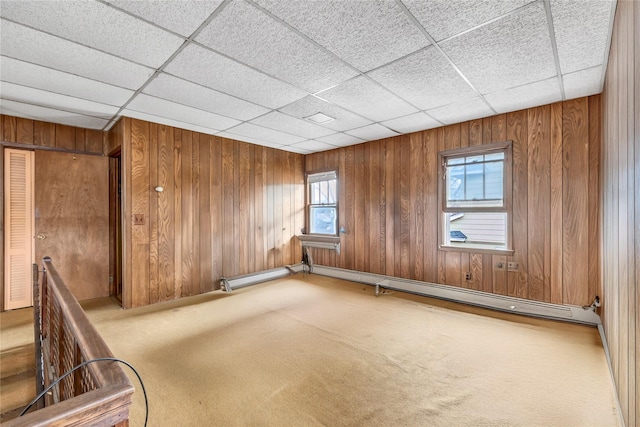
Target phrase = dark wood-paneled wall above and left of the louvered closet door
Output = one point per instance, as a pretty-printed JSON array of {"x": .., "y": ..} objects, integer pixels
[{"x": 34, "y": 134}]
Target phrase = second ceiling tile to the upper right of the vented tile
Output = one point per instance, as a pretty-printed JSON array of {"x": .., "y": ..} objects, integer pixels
[{"x": 426, "y": 79}]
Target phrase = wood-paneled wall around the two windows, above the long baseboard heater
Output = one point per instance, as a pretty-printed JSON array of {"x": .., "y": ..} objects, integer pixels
[{"x": 388, "y": 204}]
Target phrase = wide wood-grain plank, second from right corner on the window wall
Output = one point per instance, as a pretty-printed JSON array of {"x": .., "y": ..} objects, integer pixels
[{"x": 575, "y": 204}]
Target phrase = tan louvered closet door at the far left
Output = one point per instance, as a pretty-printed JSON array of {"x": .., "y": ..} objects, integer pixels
[{"x": 19, "y": 224}]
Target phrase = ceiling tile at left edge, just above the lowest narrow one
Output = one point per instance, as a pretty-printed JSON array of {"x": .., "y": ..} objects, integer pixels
[{"x": 43, "y": 98}]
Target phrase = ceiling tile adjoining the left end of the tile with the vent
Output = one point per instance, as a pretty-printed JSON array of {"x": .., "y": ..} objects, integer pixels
[{"x": 213, "y": 70}]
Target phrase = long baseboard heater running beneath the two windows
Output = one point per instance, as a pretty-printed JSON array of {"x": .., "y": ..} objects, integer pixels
[{"x": 507, "y": 304}]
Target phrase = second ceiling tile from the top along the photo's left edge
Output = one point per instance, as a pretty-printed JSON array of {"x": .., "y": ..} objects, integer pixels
[{"x": 26, "y": 44}]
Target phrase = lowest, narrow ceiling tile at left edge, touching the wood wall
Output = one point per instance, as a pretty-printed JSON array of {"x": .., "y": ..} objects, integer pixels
[{"x": 35, "y": 112}]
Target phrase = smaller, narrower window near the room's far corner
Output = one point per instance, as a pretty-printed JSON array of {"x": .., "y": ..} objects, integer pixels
[{"x": 322, "y": 205}]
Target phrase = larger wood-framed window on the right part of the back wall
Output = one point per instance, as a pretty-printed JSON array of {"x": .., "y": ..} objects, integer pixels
[{"x": 475, "y": 198}]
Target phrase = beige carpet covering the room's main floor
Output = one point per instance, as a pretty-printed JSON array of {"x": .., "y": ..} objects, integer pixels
[{"x": 309, "y": 350}]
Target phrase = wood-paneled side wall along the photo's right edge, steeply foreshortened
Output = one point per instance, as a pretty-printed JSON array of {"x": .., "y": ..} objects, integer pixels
[{"x": 621, "y": 207}]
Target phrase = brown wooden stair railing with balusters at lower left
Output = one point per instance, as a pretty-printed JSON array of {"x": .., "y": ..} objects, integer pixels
[{"x": 98, "y": 394}]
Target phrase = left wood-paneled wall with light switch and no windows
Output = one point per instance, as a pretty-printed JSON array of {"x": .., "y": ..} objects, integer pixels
[{"x": 228, "y": 208}]
